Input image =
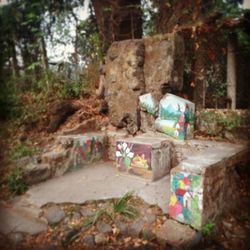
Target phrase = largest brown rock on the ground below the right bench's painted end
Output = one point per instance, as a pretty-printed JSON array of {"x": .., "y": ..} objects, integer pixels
[{"x": 177, "y": 235}]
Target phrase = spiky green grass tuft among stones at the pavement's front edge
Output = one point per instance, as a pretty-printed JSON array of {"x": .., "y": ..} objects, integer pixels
[{"x": 122, "y": 206}]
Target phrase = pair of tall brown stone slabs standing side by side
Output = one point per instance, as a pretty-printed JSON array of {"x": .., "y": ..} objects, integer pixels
[{"x": 134, "y": 67}]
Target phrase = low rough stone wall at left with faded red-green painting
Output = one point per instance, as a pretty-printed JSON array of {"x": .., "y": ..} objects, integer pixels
[{"x": 75, "y": 151}]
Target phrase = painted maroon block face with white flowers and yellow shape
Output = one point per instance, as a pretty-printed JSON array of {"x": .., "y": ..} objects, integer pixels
[{"x": 134, "y": 158}]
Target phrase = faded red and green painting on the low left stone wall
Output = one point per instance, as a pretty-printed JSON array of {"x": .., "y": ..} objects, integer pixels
[{"x": 90, "y": 150}]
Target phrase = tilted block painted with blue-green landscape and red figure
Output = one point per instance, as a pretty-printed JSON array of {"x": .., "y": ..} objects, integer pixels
[{"x": 176, "y": 117}]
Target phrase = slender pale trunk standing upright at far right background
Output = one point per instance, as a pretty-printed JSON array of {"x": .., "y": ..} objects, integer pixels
[{"x": 231, "y": 71}]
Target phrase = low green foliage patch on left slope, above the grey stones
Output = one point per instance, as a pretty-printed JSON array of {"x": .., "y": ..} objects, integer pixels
[{"x": 21, "y": 150}]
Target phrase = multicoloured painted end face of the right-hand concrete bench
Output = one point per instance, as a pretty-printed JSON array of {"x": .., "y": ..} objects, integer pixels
[{"x": 186, "y": 198}]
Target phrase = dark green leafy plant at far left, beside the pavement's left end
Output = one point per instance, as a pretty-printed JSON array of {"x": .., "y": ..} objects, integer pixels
[{"x": 16, "y": 183}]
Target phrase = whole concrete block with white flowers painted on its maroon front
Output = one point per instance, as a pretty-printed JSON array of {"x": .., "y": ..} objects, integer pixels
[{"x": 148, "y": 157}]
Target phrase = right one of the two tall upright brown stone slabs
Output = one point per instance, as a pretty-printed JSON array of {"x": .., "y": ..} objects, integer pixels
[{"x": 164, "y": 64}]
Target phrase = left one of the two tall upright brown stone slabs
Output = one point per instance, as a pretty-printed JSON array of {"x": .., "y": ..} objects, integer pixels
[{"x": 124, "y": 83}]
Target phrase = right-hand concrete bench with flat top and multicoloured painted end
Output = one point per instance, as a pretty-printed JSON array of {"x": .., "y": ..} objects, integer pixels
[{"x": 198, "y": 183}]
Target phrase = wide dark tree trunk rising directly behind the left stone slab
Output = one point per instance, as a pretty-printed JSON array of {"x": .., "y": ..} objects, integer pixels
[{"x": 118, "y": 20}]
